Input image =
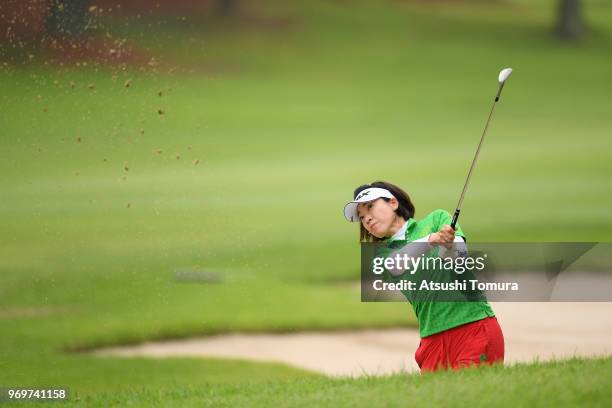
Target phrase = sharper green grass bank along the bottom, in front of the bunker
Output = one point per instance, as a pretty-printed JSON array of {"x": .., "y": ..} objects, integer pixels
[{"x": 527, "y": 385}]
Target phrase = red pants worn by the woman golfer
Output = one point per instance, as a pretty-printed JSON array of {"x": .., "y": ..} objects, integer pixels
[{"x": 473, "y": 343}]
